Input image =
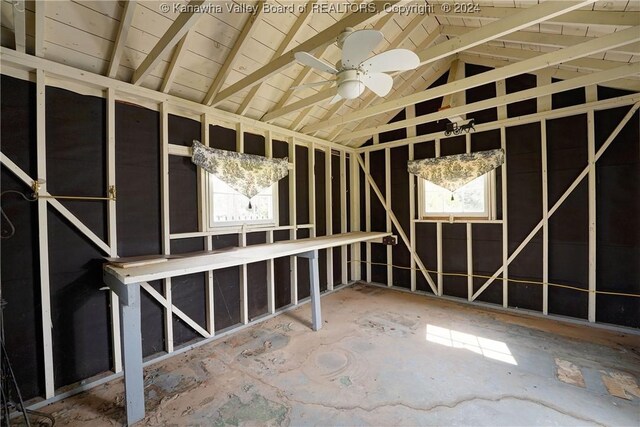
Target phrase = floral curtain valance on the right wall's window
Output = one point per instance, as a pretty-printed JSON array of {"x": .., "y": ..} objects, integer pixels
[{"x": 452, "y": 172}]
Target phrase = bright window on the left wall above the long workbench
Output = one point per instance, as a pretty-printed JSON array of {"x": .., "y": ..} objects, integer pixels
[{"x": 227, "y": 207}]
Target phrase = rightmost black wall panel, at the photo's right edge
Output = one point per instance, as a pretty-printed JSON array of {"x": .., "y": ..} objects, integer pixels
[{"x": 617, "y": 204}]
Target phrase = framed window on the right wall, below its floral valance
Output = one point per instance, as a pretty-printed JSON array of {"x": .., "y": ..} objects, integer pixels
[{"x": 473, "y": 200}]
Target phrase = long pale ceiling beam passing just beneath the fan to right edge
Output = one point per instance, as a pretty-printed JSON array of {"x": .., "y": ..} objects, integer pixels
[{"x": 629, "y": 35}]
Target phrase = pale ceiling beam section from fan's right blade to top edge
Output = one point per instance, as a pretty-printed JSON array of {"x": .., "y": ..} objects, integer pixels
[{"x": 523, "y": 19}]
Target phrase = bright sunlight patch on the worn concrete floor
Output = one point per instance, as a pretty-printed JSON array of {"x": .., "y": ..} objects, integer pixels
[{"x": 496, "y": 350}]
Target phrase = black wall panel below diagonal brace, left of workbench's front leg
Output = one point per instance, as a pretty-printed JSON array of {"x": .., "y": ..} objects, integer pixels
[{"x": 79, "y": 309}]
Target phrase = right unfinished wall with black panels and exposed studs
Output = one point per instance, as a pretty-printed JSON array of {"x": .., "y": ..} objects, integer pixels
[{"x": 543, "y": 159}]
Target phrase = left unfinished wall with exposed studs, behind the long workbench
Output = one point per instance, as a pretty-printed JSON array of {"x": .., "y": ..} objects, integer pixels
[{"x": 158, "y": 210}]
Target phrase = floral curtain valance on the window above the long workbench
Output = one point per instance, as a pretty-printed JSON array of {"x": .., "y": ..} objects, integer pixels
[{"x": 248, "y": 174}]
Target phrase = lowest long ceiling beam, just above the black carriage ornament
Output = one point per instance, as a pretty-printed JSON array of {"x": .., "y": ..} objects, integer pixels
[{"x": 577, "y": 82}]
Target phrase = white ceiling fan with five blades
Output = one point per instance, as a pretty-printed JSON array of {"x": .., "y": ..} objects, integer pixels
[{"x": 358, "y": 69}]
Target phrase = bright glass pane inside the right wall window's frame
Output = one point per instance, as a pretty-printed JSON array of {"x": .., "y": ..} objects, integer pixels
[{"x": 469, "y": 199}]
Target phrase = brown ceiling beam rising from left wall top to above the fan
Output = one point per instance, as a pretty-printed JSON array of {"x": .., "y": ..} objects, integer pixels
[{"x": 318, "y": 41}]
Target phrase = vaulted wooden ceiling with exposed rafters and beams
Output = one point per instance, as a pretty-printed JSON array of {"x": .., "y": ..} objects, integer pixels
[{"x": 238, "y": 56}]
